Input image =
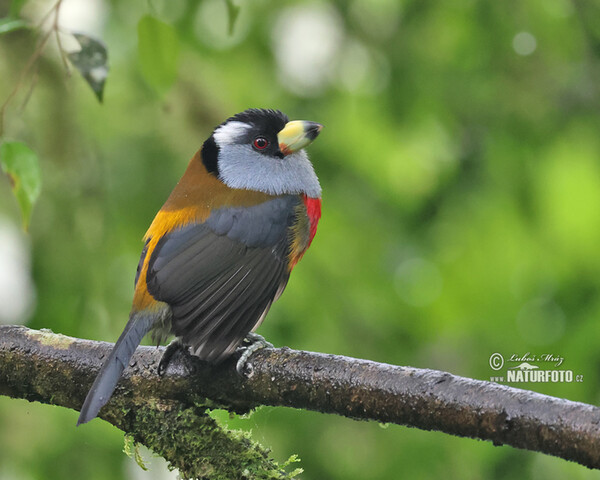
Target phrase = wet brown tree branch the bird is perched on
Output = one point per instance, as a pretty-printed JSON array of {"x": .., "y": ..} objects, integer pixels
[{"x": 42, "y": 366}]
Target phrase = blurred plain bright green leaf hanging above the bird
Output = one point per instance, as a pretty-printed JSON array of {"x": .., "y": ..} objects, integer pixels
[{"x": 158, "y": 50}]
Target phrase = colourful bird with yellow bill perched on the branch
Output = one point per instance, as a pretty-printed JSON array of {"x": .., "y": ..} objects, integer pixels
[{"x": 221, "y": 249}]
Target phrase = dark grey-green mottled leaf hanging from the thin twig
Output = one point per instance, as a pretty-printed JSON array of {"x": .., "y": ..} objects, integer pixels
[{"x": 92, "y": 62}]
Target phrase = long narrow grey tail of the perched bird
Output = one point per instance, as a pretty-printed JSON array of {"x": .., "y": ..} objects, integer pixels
[{"x": 106, "y": 381}]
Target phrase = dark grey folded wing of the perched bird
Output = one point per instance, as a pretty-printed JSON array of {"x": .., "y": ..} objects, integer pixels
[{"x": 220, "y": 277}]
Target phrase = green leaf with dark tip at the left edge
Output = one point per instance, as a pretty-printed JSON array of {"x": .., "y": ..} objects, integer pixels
[{"x": 21, "y": 165}]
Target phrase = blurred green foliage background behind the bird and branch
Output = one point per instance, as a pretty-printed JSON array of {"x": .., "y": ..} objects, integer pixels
[{"x": 460, "y": 164}]
